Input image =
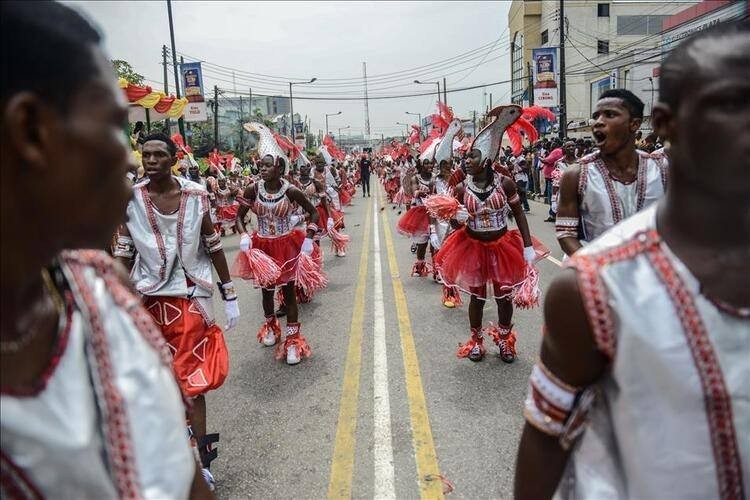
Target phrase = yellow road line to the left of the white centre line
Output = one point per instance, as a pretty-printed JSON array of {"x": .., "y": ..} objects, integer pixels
[{"x": 342, "y": 463}]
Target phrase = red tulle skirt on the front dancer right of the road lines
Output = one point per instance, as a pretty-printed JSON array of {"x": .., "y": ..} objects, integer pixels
[{"x": 471, "y": 264}]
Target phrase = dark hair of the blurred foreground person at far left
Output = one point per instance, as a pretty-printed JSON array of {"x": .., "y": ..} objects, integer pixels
[{"x": 46, "y": 50}]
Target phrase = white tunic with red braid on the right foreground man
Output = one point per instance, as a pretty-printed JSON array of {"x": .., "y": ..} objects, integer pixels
[{"x": 672, "y": 416}]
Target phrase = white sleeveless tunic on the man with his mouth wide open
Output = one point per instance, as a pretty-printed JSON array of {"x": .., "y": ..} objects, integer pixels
[{"x": 603, "y": 201}]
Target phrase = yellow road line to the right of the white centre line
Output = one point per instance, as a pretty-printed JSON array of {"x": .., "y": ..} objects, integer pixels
[{"x": 424, "y": 447}]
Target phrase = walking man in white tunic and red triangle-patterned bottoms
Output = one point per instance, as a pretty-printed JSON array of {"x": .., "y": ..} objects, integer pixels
[{"x": 170, "y": 230}]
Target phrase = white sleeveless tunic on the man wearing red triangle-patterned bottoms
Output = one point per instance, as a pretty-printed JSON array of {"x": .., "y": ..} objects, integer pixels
[{"x": 170, "y": 247}]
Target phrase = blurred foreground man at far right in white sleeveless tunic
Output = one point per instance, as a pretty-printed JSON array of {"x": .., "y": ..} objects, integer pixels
[{"x": 641, "y": 387}]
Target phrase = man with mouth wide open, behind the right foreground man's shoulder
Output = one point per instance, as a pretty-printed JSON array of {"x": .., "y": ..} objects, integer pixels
[{"x": 612, "y": 183}]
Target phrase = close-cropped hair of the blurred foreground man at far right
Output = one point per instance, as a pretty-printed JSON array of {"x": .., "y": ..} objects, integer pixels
[{"x": 680, "y": 64}]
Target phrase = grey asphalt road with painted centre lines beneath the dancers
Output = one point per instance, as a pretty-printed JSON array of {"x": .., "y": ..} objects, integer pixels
[{"x": 383, "y": 409}]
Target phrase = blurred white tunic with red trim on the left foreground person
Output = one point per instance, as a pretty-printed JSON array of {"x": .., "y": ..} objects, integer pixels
[{"x": 107, "y": 420}]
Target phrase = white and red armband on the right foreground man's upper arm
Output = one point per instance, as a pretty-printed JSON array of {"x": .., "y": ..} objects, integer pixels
[{"x": 556, "y": 408}]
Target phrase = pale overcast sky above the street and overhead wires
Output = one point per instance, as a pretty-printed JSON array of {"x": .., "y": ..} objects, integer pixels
[{"x": 327, "y": 40}]
